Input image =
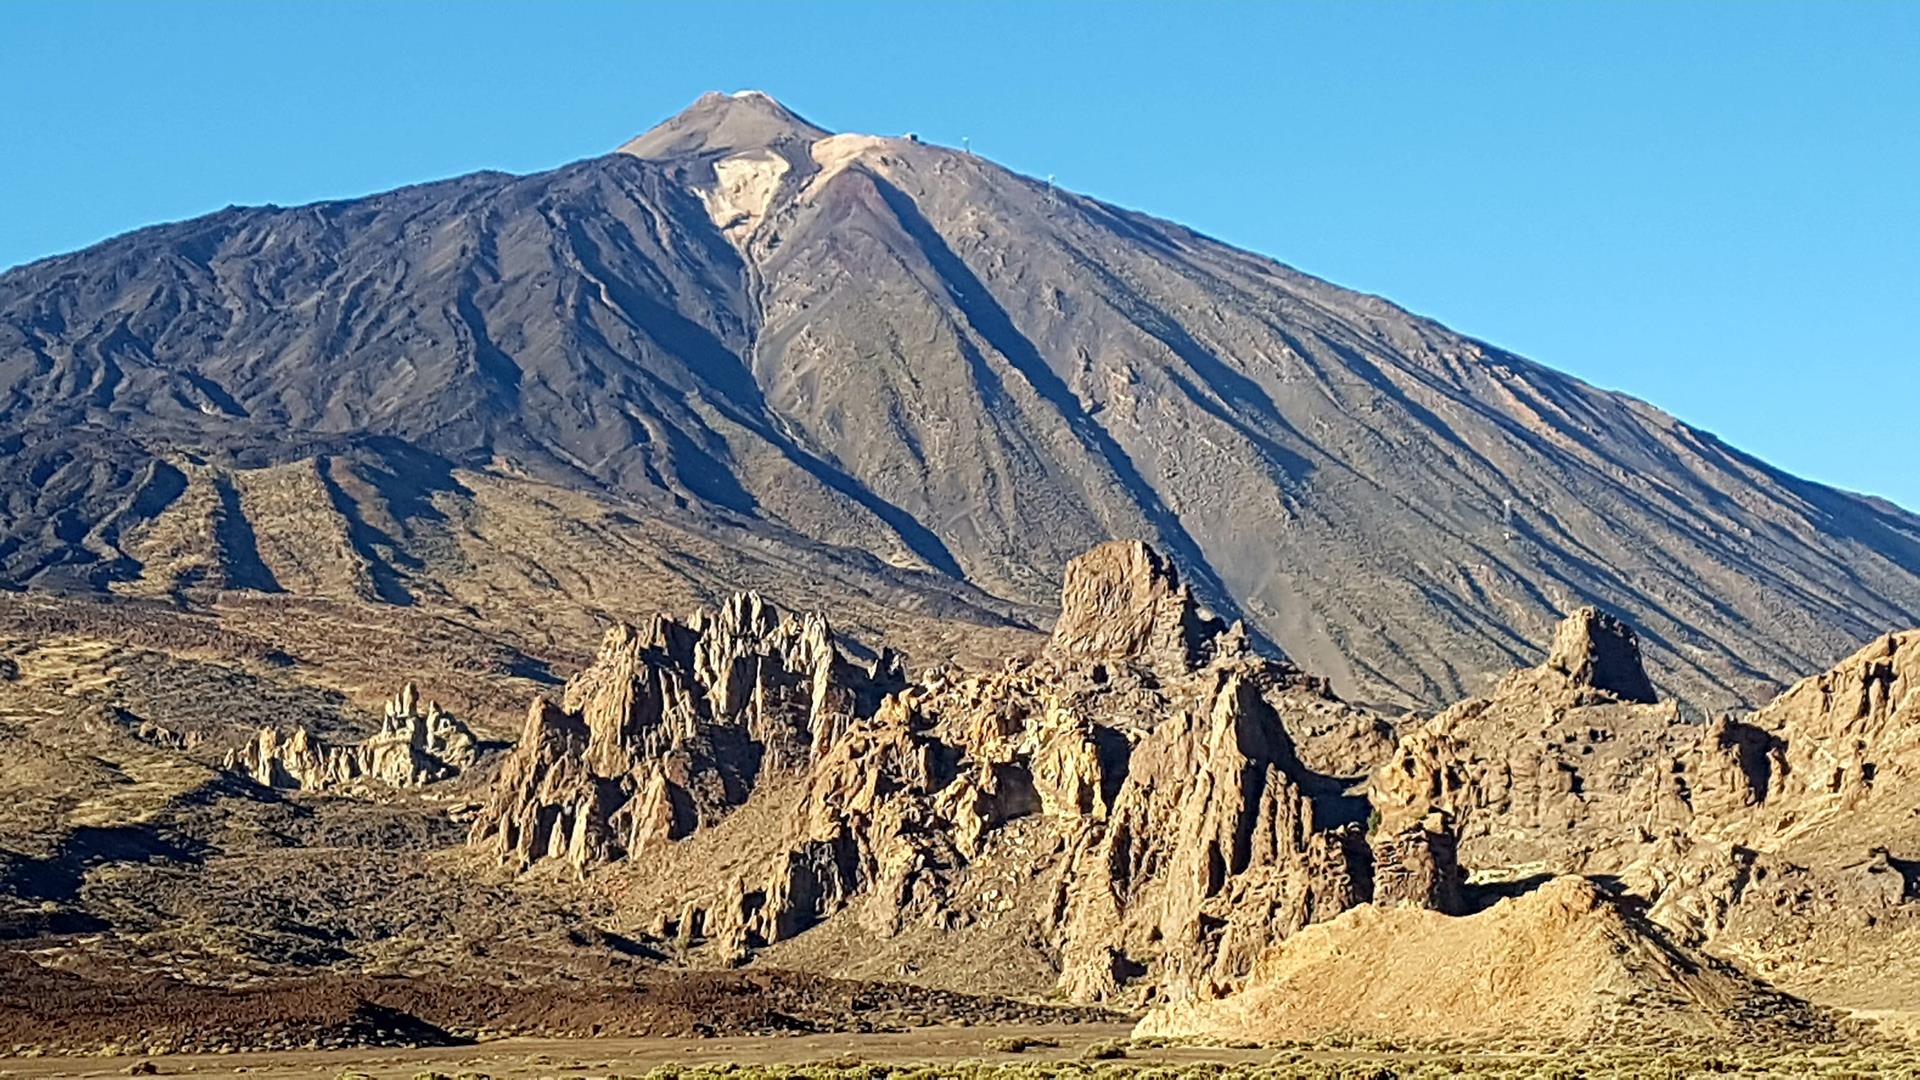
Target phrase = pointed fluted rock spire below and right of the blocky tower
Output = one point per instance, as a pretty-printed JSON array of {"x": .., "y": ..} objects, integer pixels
[{"x": 1212, "y": 852}]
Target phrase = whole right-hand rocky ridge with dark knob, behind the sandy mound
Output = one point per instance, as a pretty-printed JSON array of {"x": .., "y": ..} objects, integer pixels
[{"x": 1787, "y": 841}]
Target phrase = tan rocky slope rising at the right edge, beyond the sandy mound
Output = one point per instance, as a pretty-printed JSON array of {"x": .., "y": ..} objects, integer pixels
[{"x": 1804, "y": 856}]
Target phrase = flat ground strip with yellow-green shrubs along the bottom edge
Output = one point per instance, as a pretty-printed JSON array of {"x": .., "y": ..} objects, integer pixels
[{"x": 996, "y": 1054}]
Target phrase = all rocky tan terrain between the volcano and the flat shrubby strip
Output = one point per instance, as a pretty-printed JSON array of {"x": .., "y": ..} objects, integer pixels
[{"x": 1147, "y": 816}]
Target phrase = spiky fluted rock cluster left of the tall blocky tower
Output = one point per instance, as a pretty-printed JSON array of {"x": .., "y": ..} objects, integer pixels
[{"x": 671, "y": 727}]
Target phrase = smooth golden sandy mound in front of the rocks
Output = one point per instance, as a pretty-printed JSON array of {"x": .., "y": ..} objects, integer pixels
[{"x": 1562, "y": 962}]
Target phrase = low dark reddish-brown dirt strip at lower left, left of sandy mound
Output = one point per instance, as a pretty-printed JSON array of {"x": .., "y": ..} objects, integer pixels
[{"x": 43, "y": 1008}]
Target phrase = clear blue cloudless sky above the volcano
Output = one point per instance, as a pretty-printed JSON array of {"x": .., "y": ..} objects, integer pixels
[{"x": 1712, "y": 207}]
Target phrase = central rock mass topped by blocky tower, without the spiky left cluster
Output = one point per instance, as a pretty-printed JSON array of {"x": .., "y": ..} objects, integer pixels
[{"x": 1166, "y": 822}]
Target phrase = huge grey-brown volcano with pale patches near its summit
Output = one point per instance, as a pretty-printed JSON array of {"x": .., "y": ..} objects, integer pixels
[{"x": 905, "y": 360}]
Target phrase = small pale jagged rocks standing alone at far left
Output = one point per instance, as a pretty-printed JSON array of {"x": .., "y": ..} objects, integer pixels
[{"x": 414, "y": 747}]
